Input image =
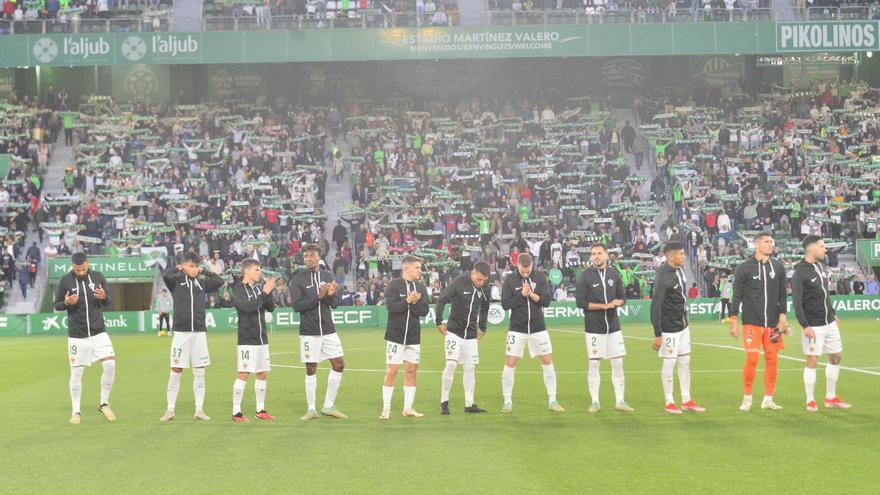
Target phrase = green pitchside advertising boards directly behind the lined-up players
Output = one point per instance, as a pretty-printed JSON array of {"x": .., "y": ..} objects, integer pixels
[{"x": 365, "y": 317}]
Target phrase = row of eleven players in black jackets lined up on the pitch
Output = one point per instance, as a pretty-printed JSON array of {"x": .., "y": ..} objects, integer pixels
[{"x": 759, "y": 295}]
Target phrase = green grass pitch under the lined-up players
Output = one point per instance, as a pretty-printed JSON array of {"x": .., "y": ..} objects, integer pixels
[{"x": 531, "y": 451}]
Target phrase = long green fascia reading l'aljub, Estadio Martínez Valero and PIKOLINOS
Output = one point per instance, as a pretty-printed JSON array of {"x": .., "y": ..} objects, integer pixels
[{"x": 430, "y": 43}]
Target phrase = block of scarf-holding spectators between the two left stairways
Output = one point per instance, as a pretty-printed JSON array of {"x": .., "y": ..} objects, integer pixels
[{"x": 225, "y": 181}]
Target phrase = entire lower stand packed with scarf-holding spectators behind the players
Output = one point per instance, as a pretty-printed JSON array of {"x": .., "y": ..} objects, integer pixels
[{"x": 458, "y": 182}]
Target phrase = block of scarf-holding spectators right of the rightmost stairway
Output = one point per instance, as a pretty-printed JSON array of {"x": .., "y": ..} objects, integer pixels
[{"x": 790, "y": 161}]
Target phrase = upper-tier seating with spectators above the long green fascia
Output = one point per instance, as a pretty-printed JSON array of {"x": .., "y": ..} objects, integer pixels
[{"x": 89, "y": 16}]
